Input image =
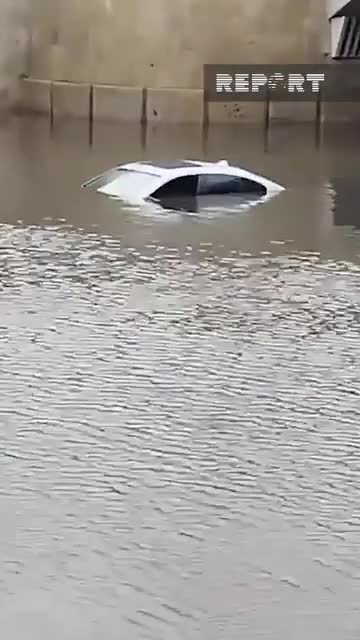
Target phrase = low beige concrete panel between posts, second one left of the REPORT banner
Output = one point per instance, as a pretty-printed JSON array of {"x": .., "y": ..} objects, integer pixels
[{"x": 118, "y": 103}]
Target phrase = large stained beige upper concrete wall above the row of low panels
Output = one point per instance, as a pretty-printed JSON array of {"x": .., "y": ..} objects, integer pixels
[{"x": 162, "y": 44}]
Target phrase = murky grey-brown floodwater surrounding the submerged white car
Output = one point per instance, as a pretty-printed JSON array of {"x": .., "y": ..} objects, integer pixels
[{"x": 180, "y": 396}]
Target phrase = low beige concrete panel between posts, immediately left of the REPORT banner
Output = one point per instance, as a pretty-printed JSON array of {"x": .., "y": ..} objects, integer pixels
[{"x": 175, "y": 105}]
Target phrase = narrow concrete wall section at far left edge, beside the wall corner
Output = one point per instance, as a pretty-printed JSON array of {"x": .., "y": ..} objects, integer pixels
[{"x": 13, "y": 47}]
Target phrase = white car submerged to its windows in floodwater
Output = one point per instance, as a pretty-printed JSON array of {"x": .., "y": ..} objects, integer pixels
[{"x": 139, "y": 182}]
